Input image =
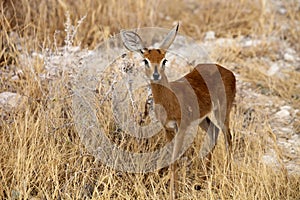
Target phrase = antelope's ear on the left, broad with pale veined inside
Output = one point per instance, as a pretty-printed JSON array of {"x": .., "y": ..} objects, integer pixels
[{"x": 132, "y": 41}]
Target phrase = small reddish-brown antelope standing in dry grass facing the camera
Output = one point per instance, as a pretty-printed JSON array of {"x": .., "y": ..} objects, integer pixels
[{"x": 205, "y": 94}]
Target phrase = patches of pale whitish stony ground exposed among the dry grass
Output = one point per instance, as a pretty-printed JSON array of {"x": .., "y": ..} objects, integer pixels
[{"x": 282, "y": 117}]
